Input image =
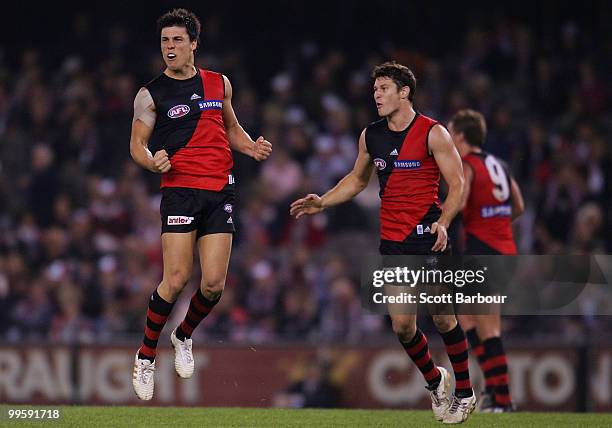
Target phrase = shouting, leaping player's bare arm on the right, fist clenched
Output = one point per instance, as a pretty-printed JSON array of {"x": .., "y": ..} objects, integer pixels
[{"x": 239, "y": 140}]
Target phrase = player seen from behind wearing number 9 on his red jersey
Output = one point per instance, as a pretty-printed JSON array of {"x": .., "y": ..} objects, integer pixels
[{"x": 491, "y": 200}]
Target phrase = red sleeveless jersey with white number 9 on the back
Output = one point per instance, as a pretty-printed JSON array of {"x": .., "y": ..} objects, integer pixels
[{"x": 487, "y": 215}]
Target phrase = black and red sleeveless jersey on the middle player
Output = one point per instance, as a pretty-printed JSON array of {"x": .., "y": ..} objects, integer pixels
[{"x": 409, "y": 178}]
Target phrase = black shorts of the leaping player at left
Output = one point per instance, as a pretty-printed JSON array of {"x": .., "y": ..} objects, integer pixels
[{"x": 184, "y": 210}]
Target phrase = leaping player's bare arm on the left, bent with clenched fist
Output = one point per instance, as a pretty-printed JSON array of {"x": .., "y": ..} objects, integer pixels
[{"x": 142, "y": 127}]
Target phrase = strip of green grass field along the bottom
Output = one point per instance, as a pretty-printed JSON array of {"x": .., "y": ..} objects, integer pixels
[{"x": 132, "y": 417}]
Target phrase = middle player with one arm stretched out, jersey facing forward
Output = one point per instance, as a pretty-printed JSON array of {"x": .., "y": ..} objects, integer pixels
[{"x": 410, "y": 151}]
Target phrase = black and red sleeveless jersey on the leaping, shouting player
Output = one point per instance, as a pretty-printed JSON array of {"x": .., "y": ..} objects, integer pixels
[{"x": 189, "y": 126}]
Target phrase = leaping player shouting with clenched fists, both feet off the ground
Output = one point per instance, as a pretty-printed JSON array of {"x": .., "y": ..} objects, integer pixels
[{"x": 184, "y": 128}]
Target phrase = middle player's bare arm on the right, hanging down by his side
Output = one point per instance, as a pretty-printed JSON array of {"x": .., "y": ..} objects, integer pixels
[{"x": 448, "y": 160}]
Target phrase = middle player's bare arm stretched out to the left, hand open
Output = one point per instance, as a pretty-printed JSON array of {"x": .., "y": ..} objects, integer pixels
[{"x": 346, "y": 189}]
